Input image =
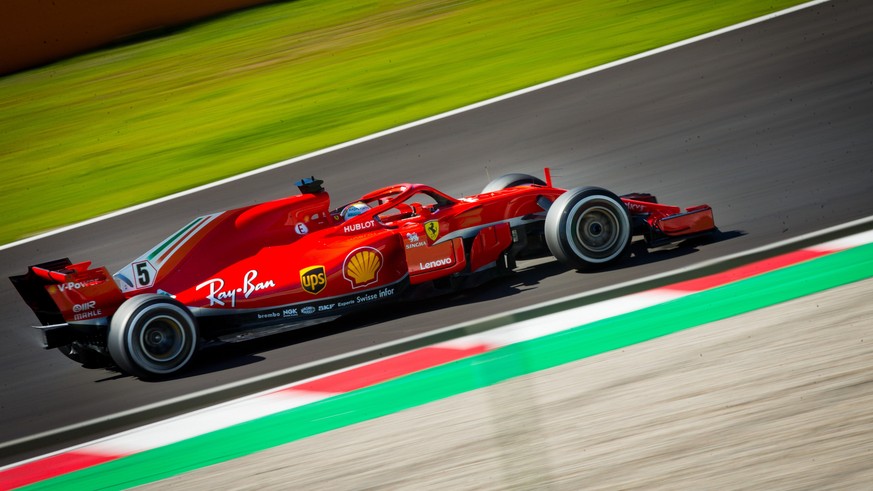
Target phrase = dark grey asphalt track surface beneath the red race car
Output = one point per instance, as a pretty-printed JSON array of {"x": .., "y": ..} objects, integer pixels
[{"x": 771, "y": 125}]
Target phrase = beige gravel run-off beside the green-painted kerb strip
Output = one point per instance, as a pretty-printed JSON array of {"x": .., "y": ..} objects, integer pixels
[{"x": 778, "y": 398}]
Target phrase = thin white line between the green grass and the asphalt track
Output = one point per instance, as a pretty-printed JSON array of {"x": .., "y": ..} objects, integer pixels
[{"x": 420, "y": 122}]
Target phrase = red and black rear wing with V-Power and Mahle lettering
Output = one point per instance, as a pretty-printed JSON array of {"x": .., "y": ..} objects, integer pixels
[{"x": 62, "y": 292}]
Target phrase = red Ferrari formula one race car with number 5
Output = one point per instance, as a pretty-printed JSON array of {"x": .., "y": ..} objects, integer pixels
[{"x": 294, "y": 262}]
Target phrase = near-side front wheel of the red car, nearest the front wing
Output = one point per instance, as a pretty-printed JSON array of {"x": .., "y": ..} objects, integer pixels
[{"x": 587, "y": 228}]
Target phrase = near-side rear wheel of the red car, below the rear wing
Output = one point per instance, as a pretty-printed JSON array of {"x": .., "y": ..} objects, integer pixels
[{"x": 152, "y": 336}]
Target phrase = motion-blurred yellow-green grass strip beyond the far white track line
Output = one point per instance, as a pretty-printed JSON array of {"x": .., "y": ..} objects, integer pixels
[{"x": 122, "y": 126}]
